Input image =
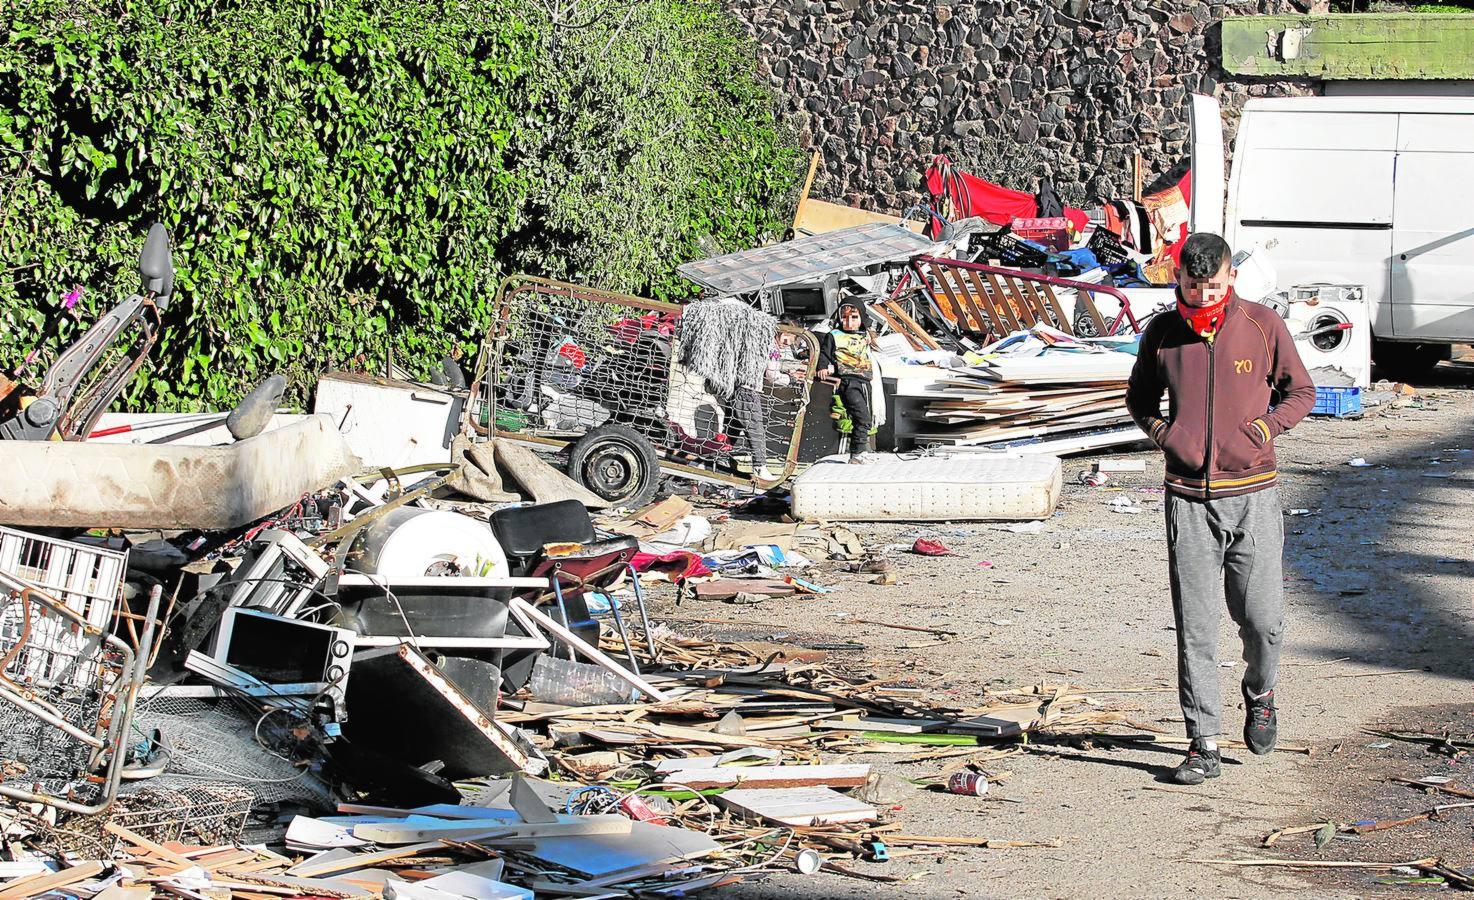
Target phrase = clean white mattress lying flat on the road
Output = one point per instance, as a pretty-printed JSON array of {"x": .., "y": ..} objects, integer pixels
[{"x": 929, "y": 490}]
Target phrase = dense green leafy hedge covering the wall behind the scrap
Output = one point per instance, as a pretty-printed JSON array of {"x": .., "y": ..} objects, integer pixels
[{"x": 347, "y": 179}]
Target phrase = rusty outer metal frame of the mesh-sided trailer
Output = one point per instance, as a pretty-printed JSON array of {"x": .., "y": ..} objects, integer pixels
[{"x": 490, "y": 359}]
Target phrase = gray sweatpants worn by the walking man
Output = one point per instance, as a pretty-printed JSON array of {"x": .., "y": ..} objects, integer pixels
[{"x": 1220, "y": 547}]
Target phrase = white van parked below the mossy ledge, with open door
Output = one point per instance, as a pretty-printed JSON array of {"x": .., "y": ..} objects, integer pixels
[{"x": 1355, "y": 191}]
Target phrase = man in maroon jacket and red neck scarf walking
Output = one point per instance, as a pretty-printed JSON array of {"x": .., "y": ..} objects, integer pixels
[{"x": 1234, "y": 384}]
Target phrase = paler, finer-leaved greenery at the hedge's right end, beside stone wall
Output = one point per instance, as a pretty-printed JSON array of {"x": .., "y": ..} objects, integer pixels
[{"x": 649, "y": 117}]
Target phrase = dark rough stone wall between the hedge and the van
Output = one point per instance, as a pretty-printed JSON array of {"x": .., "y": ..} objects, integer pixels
[{"x": 1010, "y": 92}]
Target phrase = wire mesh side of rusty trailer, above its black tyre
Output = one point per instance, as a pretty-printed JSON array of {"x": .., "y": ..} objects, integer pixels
[{"x": 564, "y": 360}]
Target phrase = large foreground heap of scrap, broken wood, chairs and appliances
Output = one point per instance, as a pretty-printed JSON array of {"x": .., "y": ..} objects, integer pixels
[{"x": 343, "y": 708}]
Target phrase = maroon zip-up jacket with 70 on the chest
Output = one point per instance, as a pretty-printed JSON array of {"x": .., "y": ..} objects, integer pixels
[{"x": 1220, "y": 434}]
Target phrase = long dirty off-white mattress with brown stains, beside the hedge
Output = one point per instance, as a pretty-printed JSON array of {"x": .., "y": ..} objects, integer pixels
[{"x": 86, "y": 484}]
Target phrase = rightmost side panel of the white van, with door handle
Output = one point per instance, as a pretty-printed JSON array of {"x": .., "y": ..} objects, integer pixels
[{"x": 1433, "y": 228}]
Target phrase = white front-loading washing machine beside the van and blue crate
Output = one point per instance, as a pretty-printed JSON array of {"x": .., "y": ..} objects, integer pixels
[{"x": 1333, "y": 331}]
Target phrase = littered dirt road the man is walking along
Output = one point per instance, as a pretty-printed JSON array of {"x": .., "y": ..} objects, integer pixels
[{"x": 1379, "y": 630}]
